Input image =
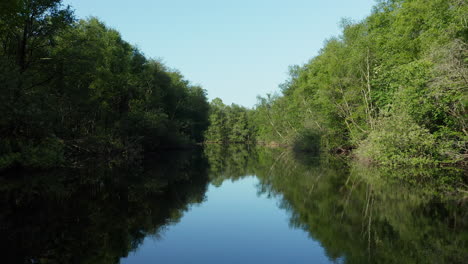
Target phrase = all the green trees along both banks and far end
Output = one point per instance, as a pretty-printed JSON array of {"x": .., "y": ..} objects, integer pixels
[{"x": 390, "y": 91}]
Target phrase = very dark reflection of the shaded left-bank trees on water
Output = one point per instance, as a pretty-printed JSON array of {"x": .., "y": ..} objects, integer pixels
[{"x": 97, "y": 214}]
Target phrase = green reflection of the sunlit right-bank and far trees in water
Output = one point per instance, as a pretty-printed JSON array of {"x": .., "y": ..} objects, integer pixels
[{"x": 359, "y": 214}]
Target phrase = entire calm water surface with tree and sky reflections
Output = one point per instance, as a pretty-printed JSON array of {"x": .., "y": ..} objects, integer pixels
[{"x": 233, "y": 204}]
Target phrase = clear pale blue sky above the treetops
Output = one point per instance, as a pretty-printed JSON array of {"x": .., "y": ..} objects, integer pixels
[{"x": 235, "y": 49}]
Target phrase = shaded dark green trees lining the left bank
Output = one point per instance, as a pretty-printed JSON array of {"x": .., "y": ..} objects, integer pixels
[{"x": 72, "y": 87}]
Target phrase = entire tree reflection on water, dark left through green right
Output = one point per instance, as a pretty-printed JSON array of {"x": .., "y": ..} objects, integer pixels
[{"x": 358, "y": 214}]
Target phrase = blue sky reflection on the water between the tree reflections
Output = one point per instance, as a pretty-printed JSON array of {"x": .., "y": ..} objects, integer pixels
[{"x": 233, "y": 225}]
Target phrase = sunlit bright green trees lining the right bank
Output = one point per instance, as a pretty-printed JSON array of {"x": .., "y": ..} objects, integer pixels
[{"x": 393, "y": 86}]
